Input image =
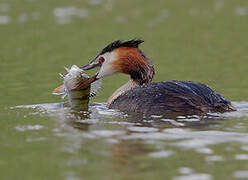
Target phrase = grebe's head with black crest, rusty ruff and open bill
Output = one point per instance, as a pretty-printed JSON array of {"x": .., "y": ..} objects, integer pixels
[{"x": 122, "y": 57}]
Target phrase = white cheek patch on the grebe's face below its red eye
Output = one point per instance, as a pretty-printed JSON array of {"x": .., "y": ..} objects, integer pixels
[{"x": 107, "y": 68}]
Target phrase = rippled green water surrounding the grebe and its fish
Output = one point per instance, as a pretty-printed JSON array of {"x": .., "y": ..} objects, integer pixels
[{"x": 203, "y": 41}]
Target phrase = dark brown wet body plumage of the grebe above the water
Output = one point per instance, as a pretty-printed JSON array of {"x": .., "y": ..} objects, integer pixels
[{"x": 179, "y": 97}]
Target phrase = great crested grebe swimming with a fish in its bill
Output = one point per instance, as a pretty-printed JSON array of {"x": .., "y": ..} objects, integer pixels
[{"x": 141, "y": 95}]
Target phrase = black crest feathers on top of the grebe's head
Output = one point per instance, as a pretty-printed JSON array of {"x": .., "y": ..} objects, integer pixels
[{"x": 116, "y": 44}]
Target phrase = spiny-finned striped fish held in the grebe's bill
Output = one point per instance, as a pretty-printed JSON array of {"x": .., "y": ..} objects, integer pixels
[{"x": 78, "y": 98}]
